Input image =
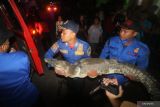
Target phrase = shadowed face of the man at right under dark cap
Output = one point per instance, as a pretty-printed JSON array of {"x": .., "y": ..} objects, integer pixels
[{"x": 127, "y": 33}]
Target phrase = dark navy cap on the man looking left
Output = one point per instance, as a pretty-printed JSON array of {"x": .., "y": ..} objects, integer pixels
[{"x": 71, "y": 25}]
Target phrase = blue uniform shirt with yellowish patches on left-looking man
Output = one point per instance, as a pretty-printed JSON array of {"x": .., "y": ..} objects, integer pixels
[{"x": 71, "y": 54}]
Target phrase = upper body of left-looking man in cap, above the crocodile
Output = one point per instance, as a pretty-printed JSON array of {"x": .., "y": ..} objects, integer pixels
[{"x": 72, "y": 48}]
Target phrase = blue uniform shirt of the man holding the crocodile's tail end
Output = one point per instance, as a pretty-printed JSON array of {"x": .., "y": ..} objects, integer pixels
[{"x": 126, "y": 51}]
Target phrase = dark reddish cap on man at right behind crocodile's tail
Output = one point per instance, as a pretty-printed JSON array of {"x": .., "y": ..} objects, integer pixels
[{"x": 130, "y": 24}]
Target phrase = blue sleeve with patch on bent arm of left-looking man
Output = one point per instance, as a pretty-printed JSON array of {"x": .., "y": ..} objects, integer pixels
[{"x": 52, "y": 50}]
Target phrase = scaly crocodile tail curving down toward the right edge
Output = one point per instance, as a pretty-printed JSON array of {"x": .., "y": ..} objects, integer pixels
[{"x": 137, "y": 75}]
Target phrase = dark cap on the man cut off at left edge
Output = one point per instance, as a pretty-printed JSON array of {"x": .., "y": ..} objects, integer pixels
[{"x": 4, "y": 35}]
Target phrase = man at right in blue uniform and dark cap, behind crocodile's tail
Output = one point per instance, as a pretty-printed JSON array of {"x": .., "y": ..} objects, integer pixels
[{"x": 126, "y": 49}]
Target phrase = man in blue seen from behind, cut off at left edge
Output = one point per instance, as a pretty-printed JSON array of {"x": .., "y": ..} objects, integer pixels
[{"x": 16, "y": 89}]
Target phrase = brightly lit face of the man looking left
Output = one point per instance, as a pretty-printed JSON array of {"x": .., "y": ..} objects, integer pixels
[{"x": 67, "y": 35}]
